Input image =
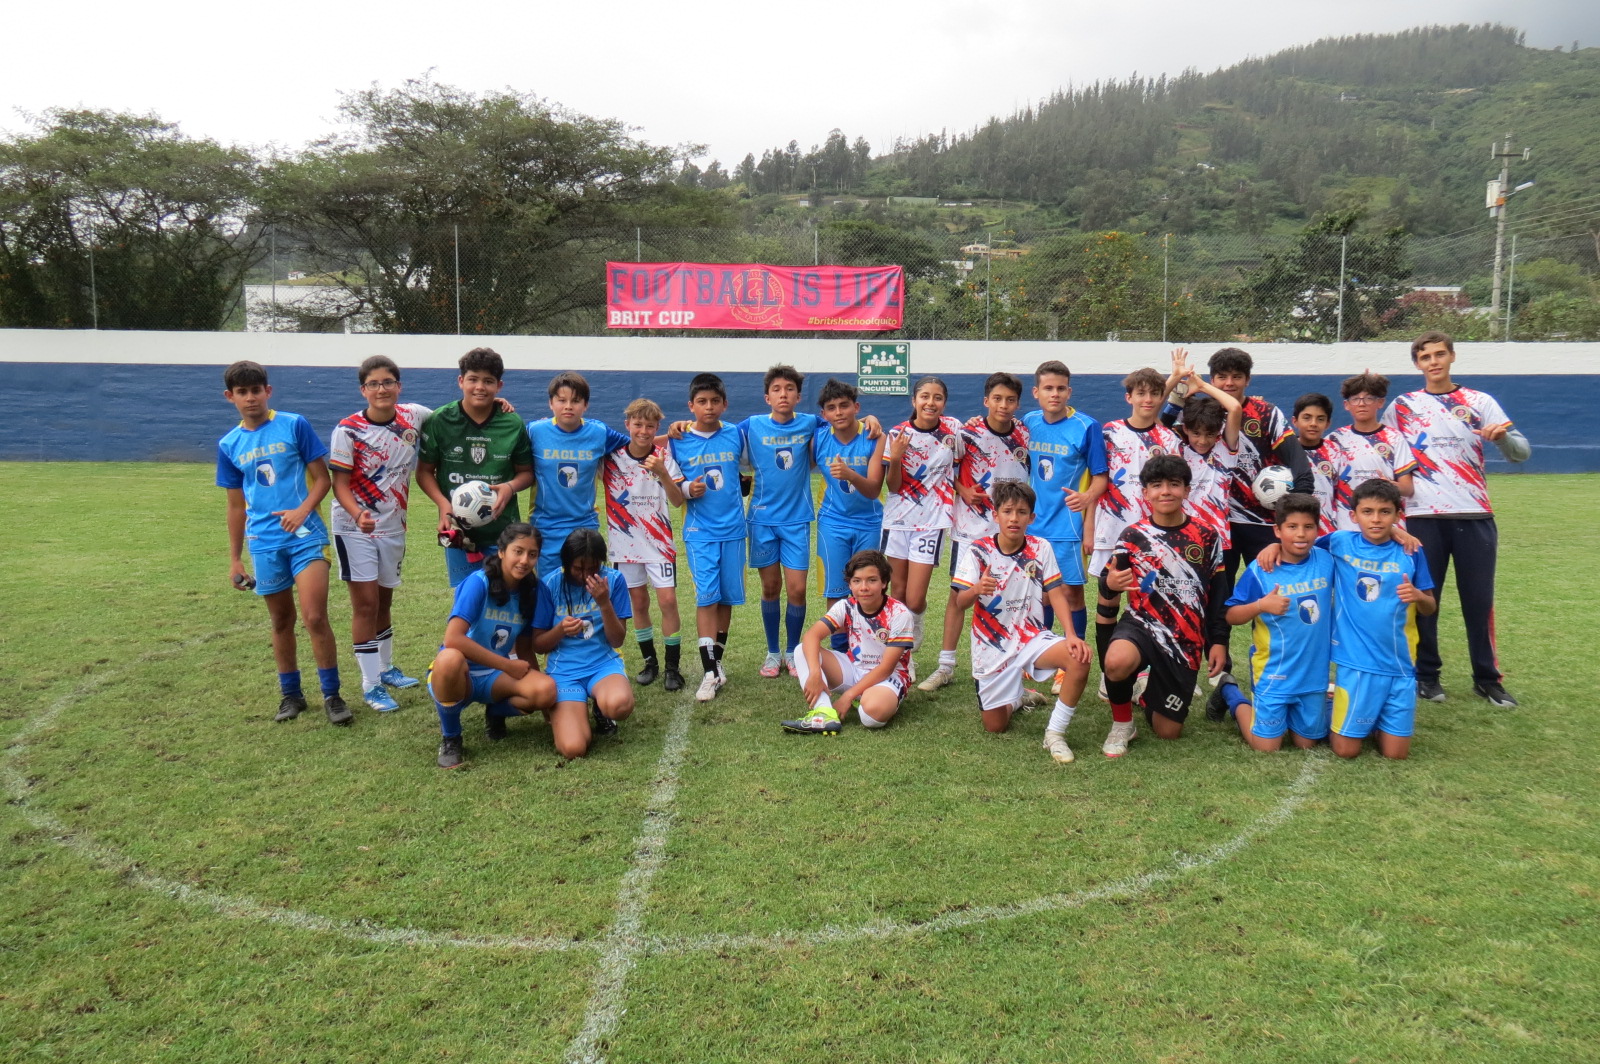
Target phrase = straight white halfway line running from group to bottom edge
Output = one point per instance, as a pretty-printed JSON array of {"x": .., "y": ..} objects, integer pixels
[{"x": 623, "y": 945}]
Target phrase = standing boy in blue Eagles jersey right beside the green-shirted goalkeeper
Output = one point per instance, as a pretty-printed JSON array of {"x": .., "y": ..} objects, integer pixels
[{"x": 567, "y": 452}]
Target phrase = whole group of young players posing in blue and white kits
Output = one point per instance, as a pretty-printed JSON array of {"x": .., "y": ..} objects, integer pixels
[{"x": 1156, "y": 508}]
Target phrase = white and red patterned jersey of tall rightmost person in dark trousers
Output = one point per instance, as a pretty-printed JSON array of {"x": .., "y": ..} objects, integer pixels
[{"x": 1442, "y": 433}]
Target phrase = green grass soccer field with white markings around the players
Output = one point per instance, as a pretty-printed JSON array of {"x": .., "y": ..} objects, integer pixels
[{"x": 186, "y": 881}]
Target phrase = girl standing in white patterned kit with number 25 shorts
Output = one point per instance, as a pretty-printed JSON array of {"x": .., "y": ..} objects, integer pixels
[{"x": 921, "y": 478}]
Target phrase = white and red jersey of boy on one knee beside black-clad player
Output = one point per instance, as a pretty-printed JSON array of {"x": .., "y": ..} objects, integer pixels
[{"x": 1006, "y": 622}]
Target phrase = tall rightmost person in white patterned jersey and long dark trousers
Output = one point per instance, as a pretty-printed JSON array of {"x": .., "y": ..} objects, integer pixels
[{"x": 1446, "y": 426}]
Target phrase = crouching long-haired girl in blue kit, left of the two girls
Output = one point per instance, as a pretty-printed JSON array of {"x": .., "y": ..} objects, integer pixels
[{"x": 492, "y": 618}]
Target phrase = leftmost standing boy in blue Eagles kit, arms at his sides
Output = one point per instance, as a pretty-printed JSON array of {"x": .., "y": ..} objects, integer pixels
[{"x": 265, "y": 463}]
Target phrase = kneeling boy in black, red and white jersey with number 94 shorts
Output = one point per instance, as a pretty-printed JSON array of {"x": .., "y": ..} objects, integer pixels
[{"x": 1172, "y": 569}]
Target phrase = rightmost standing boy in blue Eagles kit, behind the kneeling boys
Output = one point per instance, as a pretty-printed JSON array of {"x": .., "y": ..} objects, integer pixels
[{"x": 1068, "y": 474}]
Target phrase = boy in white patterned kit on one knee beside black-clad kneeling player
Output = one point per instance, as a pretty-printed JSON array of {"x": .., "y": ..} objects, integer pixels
[{"x": 1007, "y": 580}]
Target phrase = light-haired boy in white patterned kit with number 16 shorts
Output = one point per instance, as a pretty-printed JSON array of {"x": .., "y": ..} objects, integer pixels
[{"x": 641, "y": 482}]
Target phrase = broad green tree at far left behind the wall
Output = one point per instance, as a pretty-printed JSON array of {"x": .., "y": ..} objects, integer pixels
[{"x": 124, "y": 223}]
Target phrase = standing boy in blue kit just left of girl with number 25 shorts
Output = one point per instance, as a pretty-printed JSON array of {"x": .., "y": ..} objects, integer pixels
[{"x": 852, "y": 463}]
